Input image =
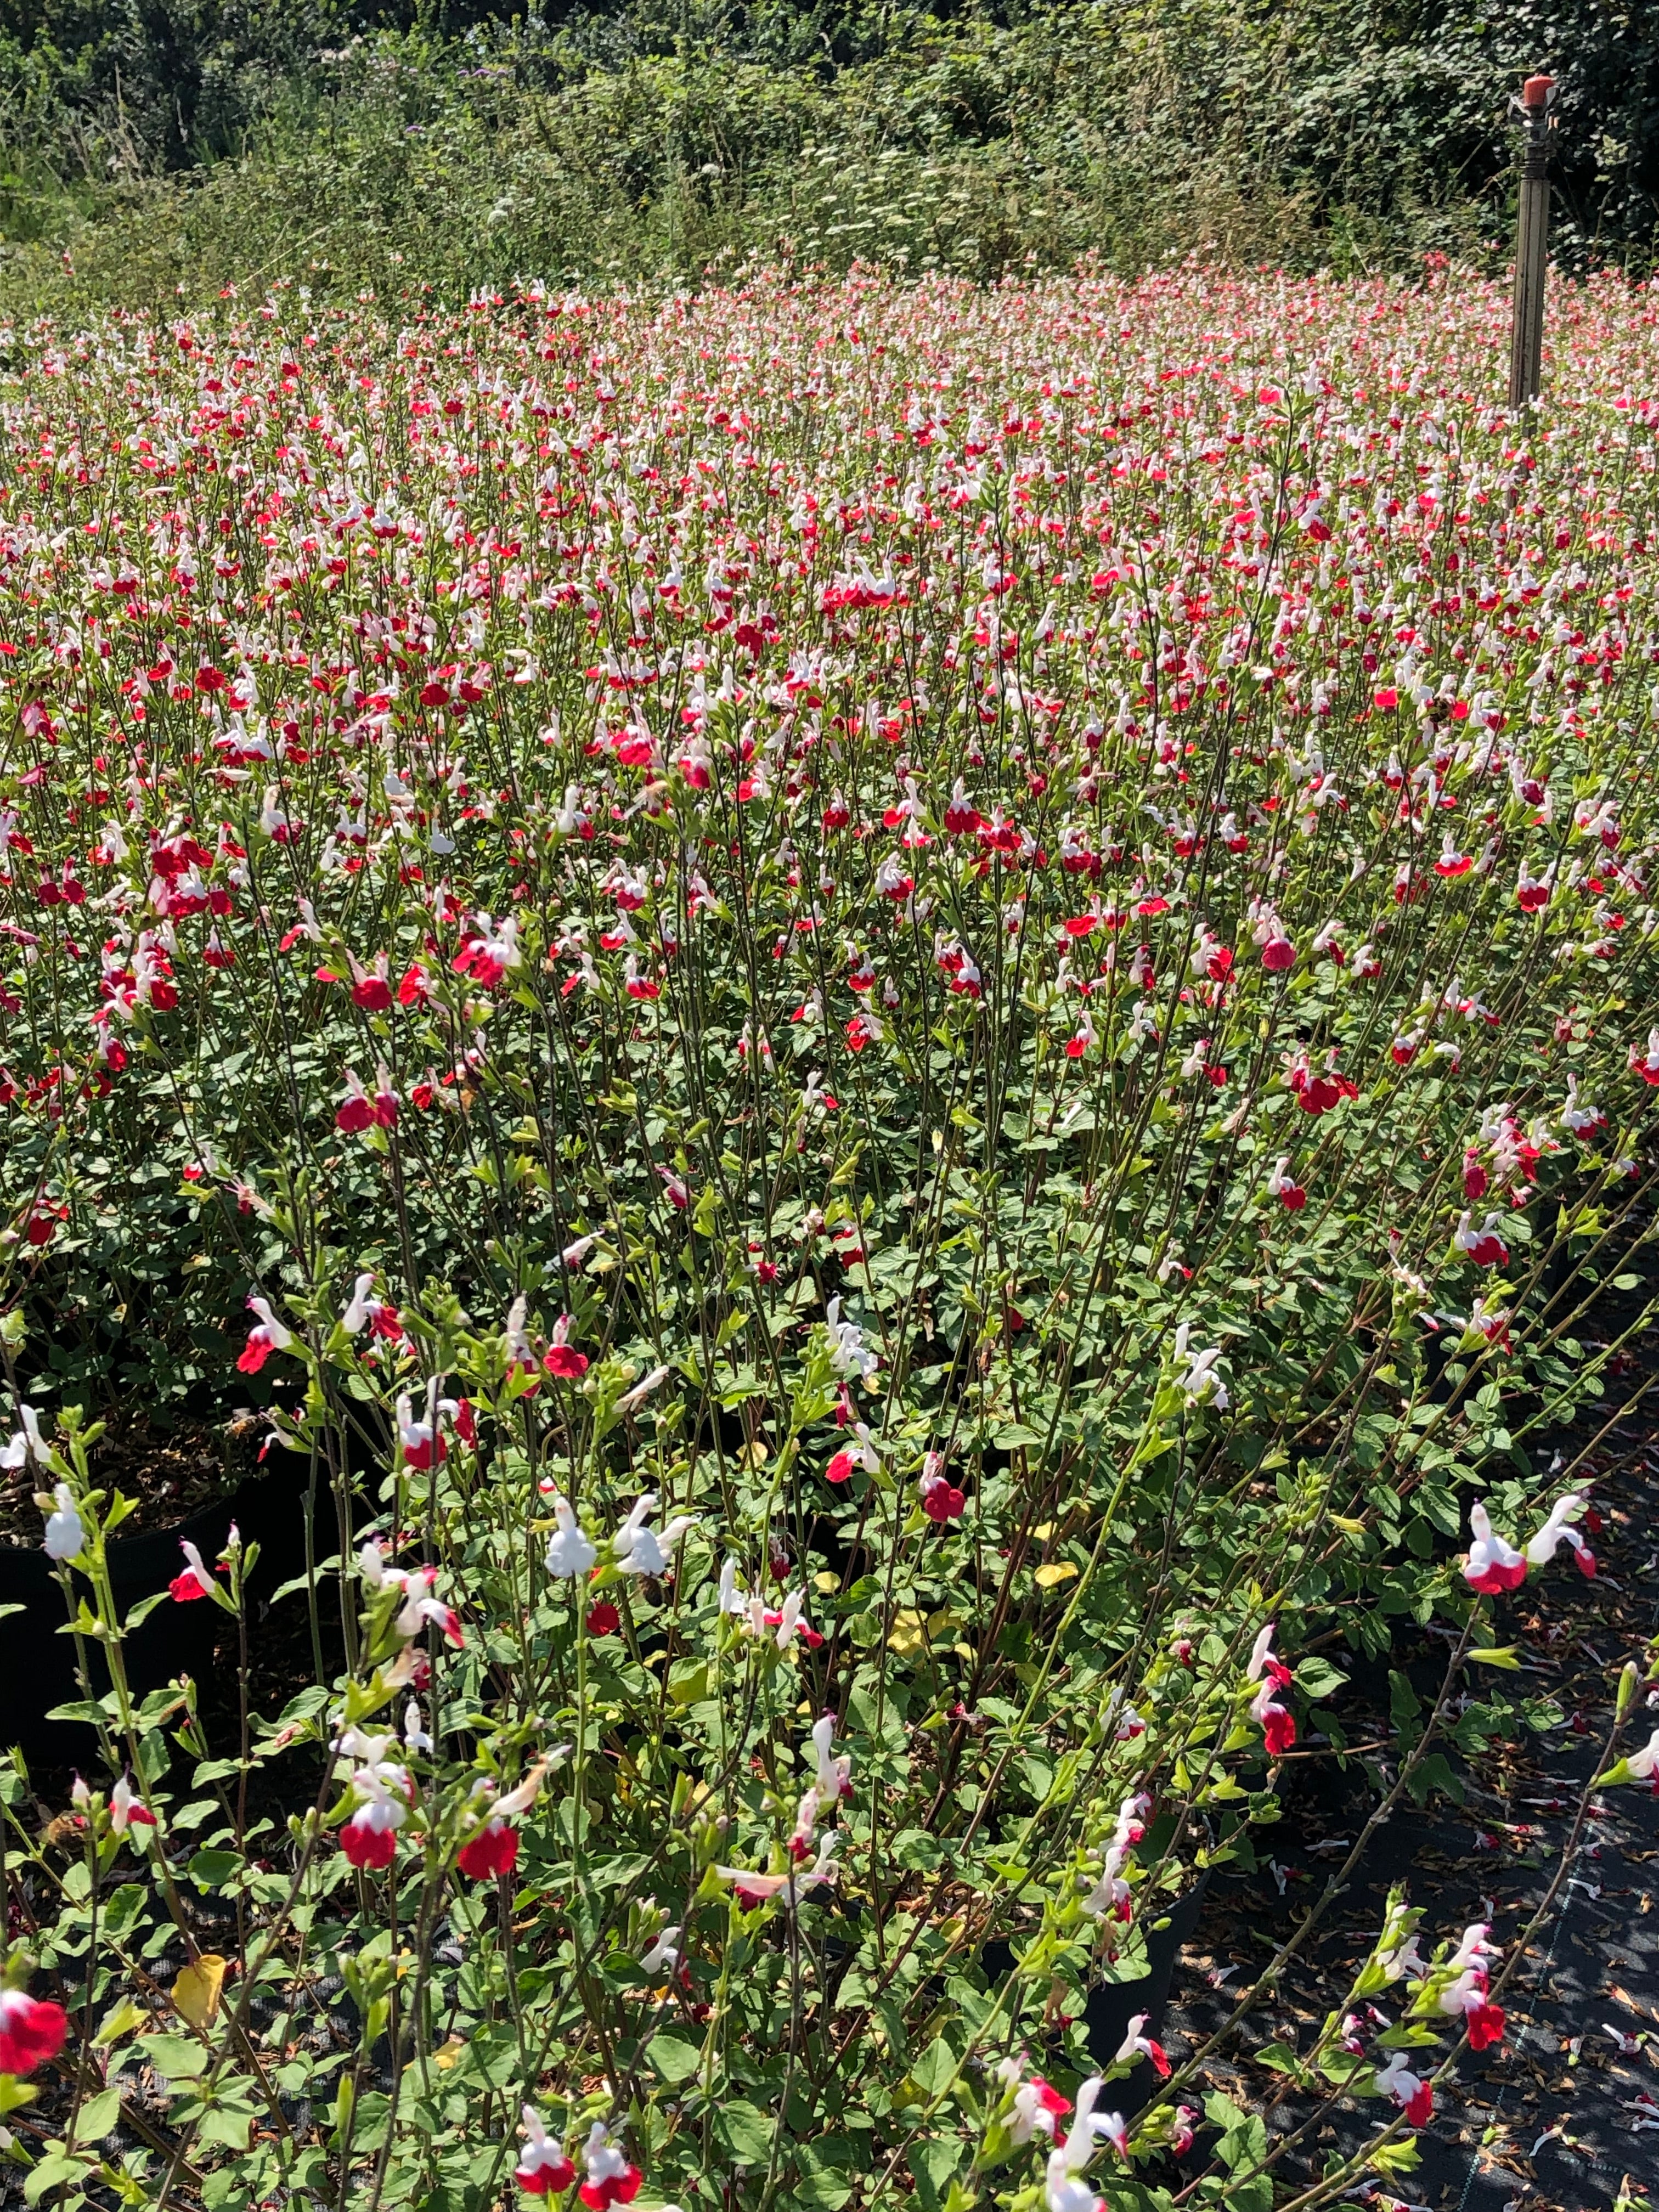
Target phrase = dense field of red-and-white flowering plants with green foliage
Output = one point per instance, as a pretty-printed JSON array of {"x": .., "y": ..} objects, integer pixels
[{"x": 904, "y": 1036}]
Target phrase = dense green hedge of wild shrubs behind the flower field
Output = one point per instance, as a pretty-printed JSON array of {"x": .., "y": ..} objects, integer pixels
[{"x": 216, "y": 140}]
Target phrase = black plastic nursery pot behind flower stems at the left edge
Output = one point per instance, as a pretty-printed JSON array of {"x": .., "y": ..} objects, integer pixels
[{"x": 39, "y": 1662}]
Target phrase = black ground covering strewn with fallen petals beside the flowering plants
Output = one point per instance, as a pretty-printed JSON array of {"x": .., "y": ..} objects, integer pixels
[{"x": 1567, "y": 2114}]
